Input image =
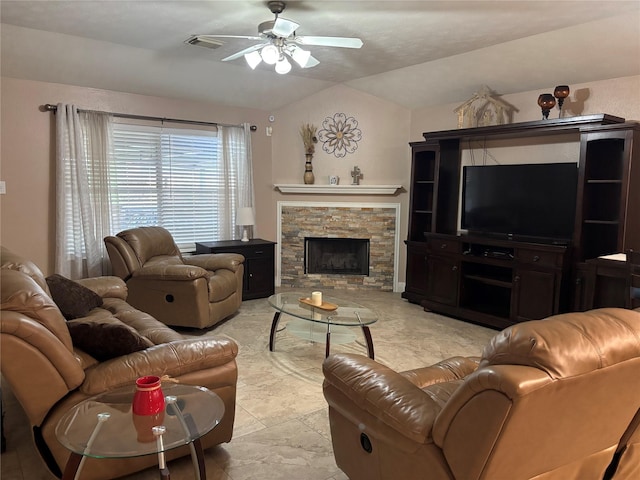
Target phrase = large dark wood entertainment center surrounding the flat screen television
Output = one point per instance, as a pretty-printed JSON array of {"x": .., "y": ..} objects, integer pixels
[{"x": 500, "y": 281}]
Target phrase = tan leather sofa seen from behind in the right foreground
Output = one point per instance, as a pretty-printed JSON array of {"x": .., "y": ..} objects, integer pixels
[{"x": 551, "y": 399}]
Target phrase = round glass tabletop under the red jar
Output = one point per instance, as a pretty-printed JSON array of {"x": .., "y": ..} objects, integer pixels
[{"x": 105, "y": 427}]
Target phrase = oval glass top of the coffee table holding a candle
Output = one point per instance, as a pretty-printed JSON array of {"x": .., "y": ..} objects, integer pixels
[{"x": 347, "y": 313}]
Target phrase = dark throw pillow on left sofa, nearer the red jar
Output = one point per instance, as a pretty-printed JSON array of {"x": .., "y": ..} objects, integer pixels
[{"x": 106, "y": 338}]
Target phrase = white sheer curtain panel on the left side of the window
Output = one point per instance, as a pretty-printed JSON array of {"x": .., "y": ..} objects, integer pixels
[{"x": 82, "y": 195}]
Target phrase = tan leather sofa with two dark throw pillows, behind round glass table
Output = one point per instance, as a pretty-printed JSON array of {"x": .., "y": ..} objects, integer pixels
[{"x": 49, "y": 374}]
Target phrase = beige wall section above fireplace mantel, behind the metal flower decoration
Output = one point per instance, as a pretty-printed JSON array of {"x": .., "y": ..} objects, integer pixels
[{"x": 382, "y": 155}]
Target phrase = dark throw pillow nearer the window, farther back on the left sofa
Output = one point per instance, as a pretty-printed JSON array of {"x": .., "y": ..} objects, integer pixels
[{"x": 73, "y": 300}]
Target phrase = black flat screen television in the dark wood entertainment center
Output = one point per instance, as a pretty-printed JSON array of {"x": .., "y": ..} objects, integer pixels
[{"x": 534, "y": 202}]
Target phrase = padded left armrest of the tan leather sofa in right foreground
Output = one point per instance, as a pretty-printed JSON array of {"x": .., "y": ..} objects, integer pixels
[{"x": 383, "y": 393}]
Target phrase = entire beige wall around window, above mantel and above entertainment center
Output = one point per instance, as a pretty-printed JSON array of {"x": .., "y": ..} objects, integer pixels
[{"x": 27, "y": 145}]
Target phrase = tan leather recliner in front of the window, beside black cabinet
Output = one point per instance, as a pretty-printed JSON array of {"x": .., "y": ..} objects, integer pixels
[{"x": 191, "y": 291}]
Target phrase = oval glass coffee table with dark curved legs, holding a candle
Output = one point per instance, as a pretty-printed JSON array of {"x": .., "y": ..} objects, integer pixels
[{"x": 346, "y": 314}]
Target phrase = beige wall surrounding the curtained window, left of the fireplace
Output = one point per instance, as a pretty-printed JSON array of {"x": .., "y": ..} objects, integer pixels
[{"x": 28, "y": 153}]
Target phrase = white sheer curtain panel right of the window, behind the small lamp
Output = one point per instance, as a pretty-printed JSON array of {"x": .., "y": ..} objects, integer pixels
[{"x": 235, "y": 152}]
